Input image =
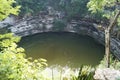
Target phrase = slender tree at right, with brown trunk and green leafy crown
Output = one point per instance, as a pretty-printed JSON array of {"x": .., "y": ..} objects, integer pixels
[{"x": 110, "y": 9}]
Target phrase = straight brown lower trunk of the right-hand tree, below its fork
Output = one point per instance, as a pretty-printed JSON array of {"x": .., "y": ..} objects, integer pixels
[{"x": 107, "y": 47}]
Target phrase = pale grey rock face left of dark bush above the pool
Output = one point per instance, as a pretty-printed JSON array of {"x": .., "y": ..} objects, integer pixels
[{"x": 33, "y": 25}]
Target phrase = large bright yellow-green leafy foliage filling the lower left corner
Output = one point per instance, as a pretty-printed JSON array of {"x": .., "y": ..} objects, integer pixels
[{"x": 14, "y": 65}]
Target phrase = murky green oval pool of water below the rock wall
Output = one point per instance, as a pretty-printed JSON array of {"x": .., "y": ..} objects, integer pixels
[{"x": 63, "y": 48}]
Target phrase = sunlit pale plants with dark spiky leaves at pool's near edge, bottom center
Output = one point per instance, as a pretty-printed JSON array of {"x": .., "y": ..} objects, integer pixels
[{"x": 66, "y": 73}]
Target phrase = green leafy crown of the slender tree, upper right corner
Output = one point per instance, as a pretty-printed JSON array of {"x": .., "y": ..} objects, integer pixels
[{"x": 107, "y": 8}]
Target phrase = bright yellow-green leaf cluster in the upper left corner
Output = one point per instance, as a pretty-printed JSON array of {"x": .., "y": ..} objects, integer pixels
[{"x": 7, "y": 8}]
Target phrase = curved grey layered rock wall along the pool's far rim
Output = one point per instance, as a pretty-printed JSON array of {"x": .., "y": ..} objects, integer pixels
[{"x": 45, "y": 23}]
